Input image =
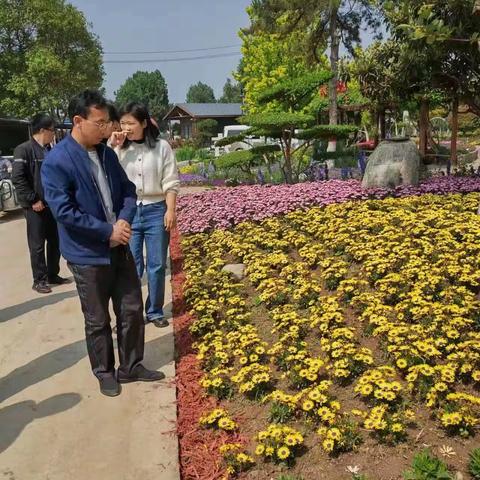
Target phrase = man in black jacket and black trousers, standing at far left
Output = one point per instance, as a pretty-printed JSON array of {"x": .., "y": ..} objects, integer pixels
[{"x": 41, "y": 226}]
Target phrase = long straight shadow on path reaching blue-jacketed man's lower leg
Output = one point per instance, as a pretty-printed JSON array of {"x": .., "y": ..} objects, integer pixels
[{"x": 42, "y": 368}]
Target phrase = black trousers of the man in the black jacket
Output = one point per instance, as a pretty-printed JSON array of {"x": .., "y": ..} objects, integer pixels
[{"x": 41, "y": 228}]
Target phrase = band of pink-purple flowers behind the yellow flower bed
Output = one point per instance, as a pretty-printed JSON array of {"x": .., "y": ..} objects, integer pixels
[{"x": 226, "y": 207}]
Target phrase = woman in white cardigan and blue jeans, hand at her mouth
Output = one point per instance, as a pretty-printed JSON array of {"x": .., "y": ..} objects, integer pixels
[{"x": 150, "y": 164}]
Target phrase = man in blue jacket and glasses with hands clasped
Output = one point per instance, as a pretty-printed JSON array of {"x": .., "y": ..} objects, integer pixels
[{"x": 94, "y": 204}]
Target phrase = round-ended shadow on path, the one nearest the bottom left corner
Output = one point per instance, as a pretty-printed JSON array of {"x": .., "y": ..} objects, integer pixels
[{"x": 14, "y": 418}]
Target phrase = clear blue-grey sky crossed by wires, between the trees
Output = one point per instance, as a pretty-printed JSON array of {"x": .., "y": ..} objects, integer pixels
[{"x": 156, "y": 25}]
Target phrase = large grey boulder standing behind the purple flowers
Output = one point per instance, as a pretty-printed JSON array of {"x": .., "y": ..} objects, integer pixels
[{"x": 394, "y": 162}]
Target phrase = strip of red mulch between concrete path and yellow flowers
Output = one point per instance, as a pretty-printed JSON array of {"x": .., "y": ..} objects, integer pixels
[{"x": 199, "y": 448}]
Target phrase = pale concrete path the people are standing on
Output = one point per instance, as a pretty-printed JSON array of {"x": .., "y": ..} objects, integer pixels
[{"x": 54, "y": 423}]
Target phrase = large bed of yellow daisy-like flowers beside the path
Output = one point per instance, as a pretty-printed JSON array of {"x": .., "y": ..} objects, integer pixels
[{"x": 370, "y": 304}]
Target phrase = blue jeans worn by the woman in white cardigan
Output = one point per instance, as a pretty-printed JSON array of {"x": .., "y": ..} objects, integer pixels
[{"x": 148, "y": 226}]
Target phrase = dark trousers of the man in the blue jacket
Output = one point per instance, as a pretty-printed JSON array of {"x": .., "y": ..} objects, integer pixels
[{"x": 96, "y": 285}]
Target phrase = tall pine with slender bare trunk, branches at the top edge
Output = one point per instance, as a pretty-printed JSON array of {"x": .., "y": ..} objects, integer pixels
[{"x": 328, "y": 23}]
